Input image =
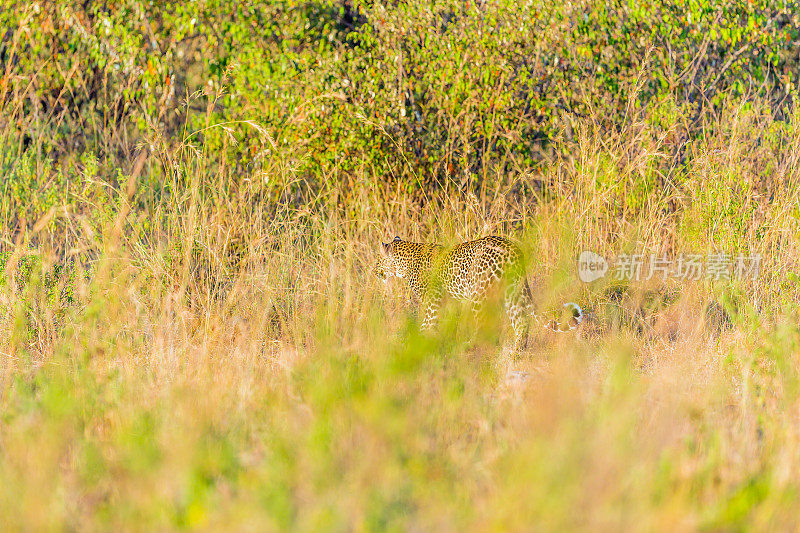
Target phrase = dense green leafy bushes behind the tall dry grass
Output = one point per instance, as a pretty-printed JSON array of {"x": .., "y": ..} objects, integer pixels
[{"x": 424, "y": 95}]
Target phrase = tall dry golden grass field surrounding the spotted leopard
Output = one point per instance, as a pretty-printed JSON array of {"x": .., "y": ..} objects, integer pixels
[{"x": 209, "y": 356}]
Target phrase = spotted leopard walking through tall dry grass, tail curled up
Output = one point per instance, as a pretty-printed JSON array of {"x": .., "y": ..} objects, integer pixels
[{"x": 468, "y": 272}]
